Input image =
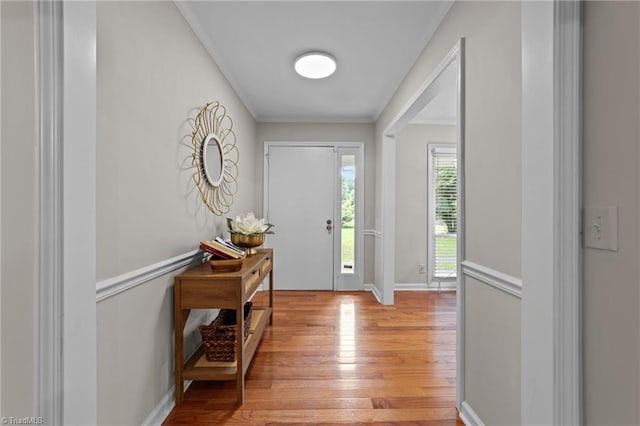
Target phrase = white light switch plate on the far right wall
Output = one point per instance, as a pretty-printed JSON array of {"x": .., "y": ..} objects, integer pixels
[{"x": 601, "y": 228}]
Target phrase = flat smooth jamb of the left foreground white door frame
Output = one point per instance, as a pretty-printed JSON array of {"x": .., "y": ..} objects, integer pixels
[{"x": 79, "y": 213}]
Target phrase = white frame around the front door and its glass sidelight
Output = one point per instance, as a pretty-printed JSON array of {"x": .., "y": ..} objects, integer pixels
[{"x": 358, "y": 277}]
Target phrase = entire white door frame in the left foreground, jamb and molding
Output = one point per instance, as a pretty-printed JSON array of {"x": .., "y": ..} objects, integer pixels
[{"x": 65, "y": 271}]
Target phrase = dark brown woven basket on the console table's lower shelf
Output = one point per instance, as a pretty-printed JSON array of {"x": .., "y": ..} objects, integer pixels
[{"x": 219, "y": 337}]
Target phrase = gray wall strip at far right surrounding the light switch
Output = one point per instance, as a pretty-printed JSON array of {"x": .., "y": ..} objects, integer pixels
[{"x": 611, "y": 178}]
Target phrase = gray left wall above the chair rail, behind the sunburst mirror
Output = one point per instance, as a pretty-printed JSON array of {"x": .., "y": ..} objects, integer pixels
[{"x": 152, "y": 75}]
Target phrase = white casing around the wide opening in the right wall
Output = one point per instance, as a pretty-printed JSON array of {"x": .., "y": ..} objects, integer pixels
[{"x": 448, "y": 74}]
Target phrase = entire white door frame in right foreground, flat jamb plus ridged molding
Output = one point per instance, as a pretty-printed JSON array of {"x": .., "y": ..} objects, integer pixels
[{"x": 551, "y": 253}]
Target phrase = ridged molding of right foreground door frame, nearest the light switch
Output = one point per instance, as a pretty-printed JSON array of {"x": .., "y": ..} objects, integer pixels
[{"x": 568, "y": 309}]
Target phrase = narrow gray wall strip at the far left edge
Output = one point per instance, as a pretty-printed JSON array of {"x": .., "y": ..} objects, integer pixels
[{"x": 18, "y": 216}]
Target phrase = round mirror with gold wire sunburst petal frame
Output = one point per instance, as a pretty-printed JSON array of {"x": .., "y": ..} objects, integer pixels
[{"x": 215, "y": 157}]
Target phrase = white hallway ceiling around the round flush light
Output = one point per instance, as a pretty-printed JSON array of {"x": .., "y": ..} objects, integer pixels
[{"x": 254, "y": 43}]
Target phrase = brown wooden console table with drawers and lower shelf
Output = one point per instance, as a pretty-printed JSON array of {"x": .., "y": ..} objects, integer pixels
[{"x": 199, "y": 288}]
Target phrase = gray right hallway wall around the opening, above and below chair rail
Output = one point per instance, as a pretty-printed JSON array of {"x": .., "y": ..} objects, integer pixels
[{"x": 493, "y": 206}]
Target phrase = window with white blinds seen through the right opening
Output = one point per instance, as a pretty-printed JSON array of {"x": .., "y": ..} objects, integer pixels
[{"x": 443, "y": 211}]
